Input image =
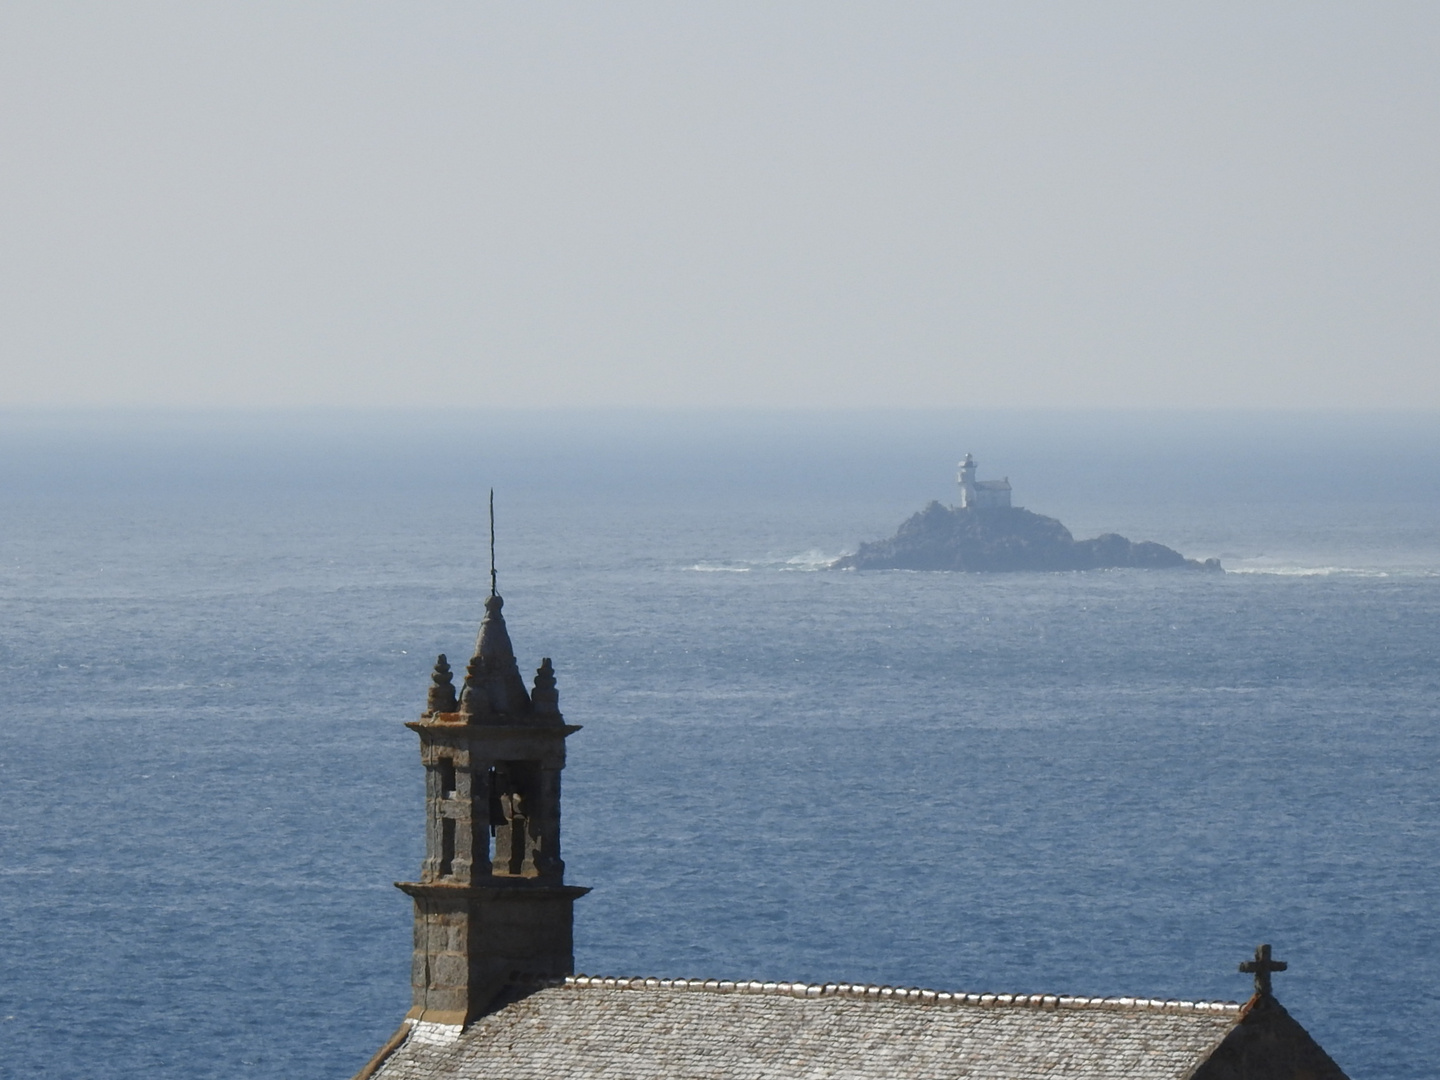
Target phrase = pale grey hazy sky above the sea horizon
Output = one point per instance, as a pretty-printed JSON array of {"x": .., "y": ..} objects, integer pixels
[{"x": 721, "y": 204}]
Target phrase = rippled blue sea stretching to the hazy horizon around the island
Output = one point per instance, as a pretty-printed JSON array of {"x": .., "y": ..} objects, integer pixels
[{"x": 214, "y": 627}]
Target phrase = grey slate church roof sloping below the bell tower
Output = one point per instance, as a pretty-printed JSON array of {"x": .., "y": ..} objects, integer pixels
[{"x": 643, "y": 1029}]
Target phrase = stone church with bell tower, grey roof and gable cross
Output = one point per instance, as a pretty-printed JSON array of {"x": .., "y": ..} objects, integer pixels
[{"x": 496, "y": 994}]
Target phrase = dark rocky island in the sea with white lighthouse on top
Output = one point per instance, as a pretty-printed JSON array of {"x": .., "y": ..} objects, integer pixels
[{"x": 989, "y": 535}]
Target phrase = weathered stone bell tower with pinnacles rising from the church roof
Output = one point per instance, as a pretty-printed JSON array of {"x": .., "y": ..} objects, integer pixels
[{"x": 492, "y": 906}]
